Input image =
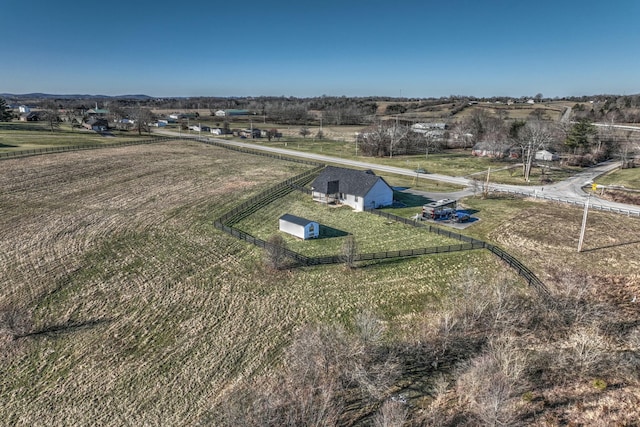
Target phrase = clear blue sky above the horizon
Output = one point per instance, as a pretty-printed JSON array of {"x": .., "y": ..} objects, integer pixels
[{"x": 310, "y": 48}]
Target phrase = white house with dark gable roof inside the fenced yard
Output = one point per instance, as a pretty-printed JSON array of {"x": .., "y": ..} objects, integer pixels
[{"x": 359, "y": 189}]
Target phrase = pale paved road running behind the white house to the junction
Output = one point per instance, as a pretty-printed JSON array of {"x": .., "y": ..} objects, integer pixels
[{"x": 569, "y": 191}]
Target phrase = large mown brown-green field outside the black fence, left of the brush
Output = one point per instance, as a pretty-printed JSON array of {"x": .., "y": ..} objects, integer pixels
[{"x": 126, "y": 306}]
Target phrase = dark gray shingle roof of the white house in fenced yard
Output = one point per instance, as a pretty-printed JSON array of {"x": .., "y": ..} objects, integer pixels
[{"x": 350, "y": 181}]
